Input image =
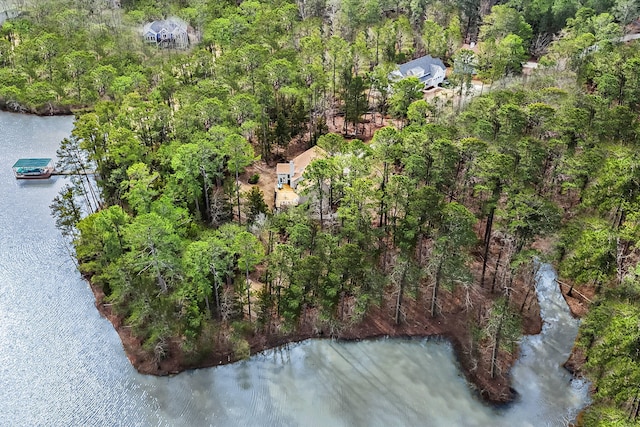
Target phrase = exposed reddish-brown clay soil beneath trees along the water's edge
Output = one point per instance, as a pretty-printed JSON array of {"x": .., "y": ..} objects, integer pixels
[{"x": 453, "y": 324}]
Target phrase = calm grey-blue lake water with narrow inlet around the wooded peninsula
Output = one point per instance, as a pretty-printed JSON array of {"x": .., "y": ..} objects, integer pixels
[{"x": 61, "y": 364}]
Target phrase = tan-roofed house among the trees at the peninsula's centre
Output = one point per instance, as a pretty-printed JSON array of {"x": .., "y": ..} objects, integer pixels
[{"x": 289, "y": 176}]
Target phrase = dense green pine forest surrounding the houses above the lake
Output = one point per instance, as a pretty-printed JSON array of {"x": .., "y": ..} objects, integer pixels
[{"x": 437, "y": 216}]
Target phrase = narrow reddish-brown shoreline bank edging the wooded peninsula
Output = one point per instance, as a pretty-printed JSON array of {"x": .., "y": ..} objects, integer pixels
[{"x": 375, "y": 325}]
